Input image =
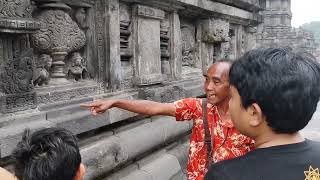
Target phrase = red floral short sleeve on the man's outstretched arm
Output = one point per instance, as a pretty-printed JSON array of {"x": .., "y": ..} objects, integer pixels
[{"x": 187, "y": 109}]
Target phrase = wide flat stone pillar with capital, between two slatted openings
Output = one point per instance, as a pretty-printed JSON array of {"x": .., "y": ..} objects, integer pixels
[{"x": 147, "y": 52}]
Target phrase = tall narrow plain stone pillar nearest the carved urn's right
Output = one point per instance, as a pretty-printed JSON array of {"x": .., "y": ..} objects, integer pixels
[{"x": 112, "y": 45}]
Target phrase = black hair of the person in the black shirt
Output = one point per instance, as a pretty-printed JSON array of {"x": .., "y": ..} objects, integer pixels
[{"x": 285, "y": 84}]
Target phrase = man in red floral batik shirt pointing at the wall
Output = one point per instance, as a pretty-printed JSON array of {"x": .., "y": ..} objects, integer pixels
[{"x": 228, "y": 142}]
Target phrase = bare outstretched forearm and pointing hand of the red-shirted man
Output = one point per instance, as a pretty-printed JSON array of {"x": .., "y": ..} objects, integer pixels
[{"x": 137, "y": 106}]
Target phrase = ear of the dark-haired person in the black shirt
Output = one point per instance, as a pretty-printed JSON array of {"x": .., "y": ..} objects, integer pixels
[{"x": 256, "y": 115}]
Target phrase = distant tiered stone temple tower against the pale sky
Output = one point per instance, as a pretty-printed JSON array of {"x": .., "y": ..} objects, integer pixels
[{"x": 277, "y": 30}]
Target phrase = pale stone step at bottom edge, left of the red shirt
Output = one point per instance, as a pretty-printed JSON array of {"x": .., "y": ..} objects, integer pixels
[{"x": 161, "y": 165}]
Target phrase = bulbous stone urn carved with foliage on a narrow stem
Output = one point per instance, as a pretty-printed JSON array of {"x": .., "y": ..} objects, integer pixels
[{"x": 58, "y": 36}]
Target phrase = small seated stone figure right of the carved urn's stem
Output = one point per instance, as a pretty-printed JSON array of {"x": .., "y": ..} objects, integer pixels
[{"x": 77, "y": 70}]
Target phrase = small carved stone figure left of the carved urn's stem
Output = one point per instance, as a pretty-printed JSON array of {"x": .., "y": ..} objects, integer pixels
[{"x": 41, "y": 74}]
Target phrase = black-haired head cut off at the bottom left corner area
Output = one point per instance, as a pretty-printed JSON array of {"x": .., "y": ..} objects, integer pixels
[{"x": 47, "y": 154}]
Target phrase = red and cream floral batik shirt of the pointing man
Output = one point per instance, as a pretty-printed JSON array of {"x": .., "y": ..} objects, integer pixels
[{"x": 228, "y": 142}]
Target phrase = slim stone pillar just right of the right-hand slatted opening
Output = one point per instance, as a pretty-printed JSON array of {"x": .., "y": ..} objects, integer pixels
[{"x": 176, "y": 53}]
